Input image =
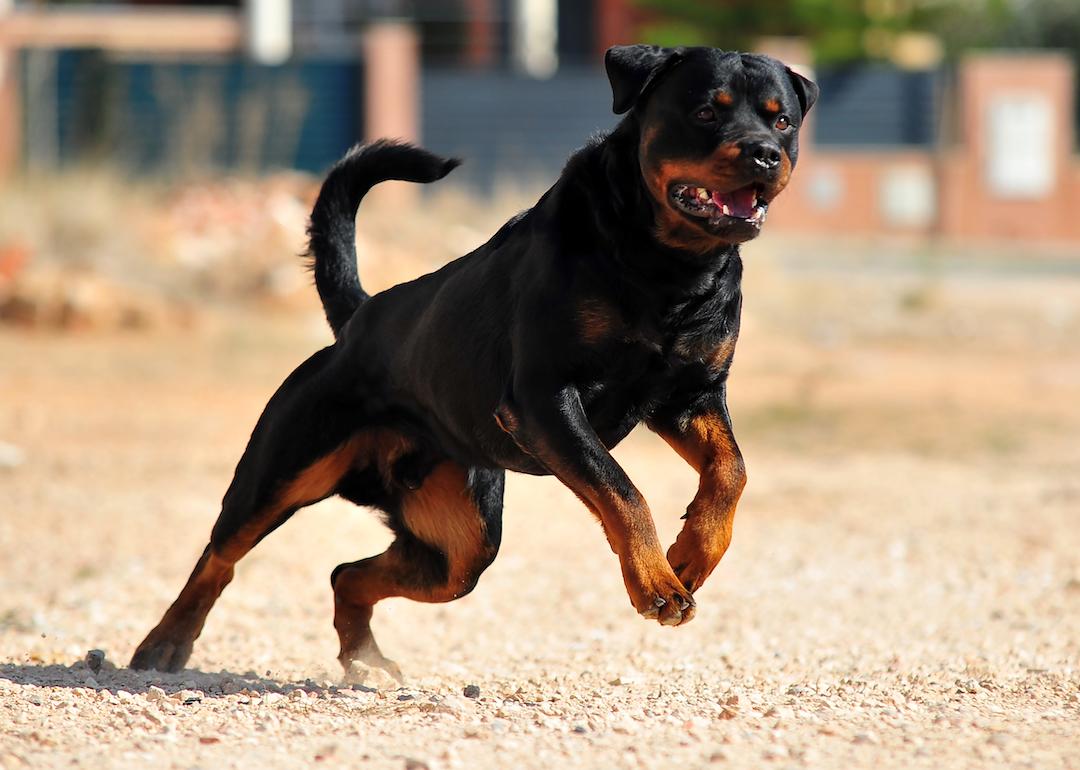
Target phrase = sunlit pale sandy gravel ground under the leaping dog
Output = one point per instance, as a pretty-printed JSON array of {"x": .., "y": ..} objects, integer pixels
[{"x": 903, "y": 589}]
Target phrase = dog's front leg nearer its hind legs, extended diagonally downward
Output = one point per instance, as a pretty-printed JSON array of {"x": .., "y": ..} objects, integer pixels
[{"x": 550, "y": 425}]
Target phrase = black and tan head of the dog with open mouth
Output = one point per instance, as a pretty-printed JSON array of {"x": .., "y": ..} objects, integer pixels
[{"x": 719, "y": 137}]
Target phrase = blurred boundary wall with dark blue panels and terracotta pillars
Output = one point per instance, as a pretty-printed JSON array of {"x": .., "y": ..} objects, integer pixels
[{"x": 982, "y": 150}]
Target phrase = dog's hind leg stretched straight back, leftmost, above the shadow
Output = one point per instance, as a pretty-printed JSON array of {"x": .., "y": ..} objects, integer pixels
[{"x": 299, "y": 453}]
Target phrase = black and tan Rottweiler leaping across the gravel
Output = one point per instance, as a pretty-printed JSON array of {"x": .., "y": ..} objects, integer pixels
[{"x": 615, "y": 301}]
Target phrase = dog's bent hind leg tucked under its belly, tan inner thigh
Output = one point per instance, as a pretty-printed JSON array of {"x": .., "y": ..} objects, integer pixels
[{"x": 448, "y": 534}]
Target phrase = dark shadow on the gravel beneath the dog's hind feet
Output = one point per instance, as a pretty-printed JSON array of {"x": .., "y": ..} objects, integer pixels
[{"x": 198, "y": 684}]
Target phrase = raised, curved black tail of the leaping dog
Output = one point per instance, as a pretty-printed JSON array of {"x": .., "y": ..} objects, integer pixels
[{"x": 332, "y": 233}]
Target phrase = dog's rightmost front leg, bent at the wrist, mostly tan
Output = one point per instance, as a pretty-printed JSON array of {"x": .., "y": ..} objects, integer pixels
[{"x": 703, "y": 437}]
